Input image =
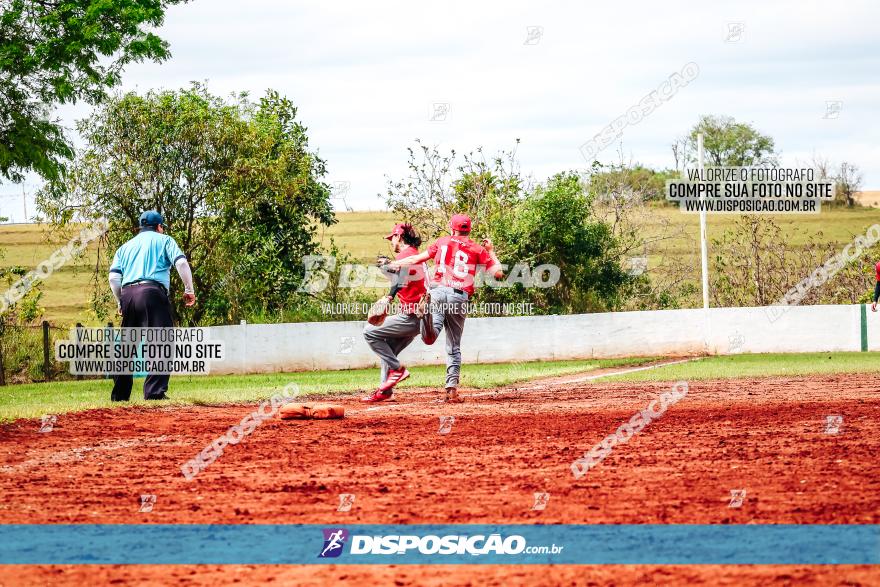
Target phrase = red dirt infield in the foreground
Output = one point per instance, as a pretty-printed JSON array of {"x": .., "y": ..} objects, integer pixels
[{"x": 767, "y": 436}]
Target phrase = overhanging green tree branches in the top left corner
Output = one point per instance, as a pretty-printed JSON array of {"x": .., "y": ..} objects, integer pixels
[{"x": 61, "y": 51}]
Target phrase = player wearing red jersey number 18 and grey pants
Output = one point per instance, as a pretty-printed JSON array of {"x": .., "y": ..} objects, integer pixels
[{"x": 456, "y": 261}]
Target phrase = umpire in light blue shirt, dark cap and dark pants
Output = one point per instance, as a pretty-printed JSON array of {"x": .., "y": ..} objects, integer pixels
[{"x": 140, "y": 279}]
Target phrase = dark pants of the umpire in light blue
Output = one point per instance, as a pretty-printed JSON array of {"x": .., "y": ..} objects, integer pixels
[{"x": 144, "y": 304}]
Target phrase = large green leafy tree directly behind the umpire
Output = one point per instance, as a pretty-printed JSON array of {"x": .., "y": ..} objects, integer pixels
[{"x": 235, "y": 180}]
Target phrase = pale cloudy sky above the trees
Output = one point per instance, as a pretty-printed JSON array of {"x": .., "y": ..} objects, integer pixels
[{"x": 365, "y": 77}]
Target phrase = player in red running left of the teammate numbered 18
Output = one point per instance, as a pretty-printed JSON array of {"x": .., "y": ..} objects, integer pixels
[{"x": 396, "y": 332}]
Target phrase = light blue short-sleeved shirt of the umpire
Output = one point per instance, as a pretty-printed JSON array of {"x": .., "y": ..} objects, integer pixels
[{"x": 149, "y": 255}]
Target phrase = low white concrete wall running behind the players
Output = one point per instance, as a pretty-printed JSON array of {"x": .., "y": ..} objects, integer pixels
[{"x": 267, "y": 348}]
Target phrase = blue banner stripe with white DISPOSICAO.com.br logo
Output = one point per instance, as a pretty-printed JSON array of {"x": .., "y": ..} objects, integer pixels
[{"x": 419, "y": 544}]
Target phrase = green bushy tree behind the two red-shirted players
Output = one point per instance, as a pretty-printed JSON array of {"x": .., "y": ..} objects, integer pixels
[{"x": 550, "y": 224}]
